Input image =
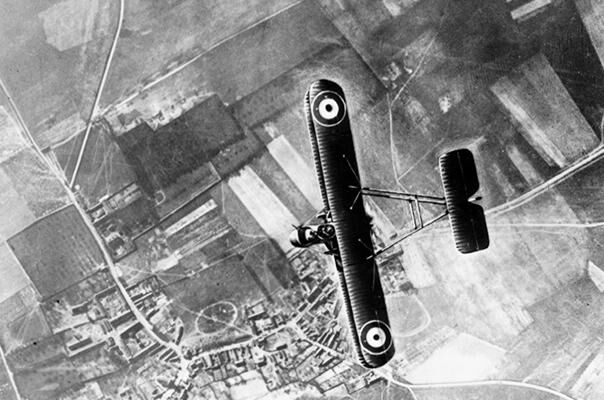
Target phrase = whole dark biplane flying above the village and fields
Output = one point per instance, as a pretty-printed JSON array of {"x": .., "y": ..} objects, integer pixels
[{"x": 345, "y": 227}]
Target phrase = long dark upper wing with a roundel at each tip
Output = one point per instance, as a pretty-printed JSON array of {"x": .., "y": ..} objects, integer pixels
[{"x": 338, "y": 175}]
